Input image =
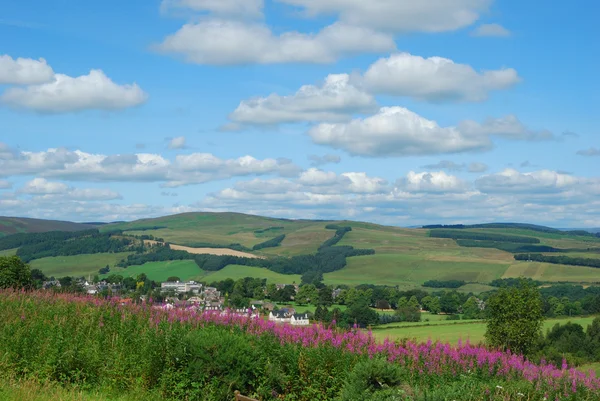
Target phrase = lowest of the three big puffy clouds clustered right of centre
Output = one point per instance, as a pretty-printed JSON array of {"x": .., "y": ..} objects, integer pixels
[{"x": 396, "y": 131}]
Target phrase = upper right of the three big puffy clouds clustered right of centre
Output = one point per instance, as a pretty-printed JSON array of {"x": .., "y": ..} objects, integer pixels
[{"x": 434, "y": 79}]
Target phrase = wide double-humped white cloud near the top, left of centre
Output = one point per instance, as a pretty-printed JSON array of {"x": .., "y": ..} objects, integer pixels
[{"x": 228, "y": 42}]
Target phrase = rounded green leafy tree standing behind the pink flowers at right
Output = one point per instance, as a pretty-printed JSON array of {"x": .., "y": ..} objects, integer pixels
[{"x": 515, "y": 318}]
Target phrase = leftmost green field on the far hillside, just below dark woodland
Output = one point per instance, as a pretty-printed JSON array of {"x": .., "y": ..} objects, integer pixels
[{"x": 77, "y": 265}]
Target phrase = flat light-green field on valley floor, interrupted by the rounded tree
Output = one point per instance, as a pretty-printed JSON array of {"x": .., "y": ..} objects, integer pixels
[{"x": 453, "y": 331}]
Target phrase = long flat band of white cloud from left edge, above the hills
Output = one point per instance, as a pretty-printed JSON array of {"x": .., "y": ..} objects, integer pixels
[{"x": 141, "y": 167}]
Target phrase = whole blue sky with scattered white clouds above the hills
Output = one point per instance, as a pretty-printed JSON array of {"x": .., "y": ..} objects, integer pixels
[{"x": 387, "y": 111}]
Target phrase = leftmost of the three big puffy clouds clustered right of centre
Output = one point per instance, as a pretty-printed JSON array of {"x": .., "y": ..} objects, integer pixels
[{"x": 335, "y": 100}]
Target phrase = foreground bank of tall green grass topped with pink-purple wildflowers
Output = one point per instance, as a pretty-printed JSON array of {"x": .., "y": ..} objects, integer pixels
[{"x": 184, "y": 354}]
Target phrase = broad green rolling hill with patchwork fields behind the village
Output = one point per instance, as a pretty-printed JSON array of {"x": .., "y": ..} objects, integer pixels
[{"x": 406, "y": 257}]
